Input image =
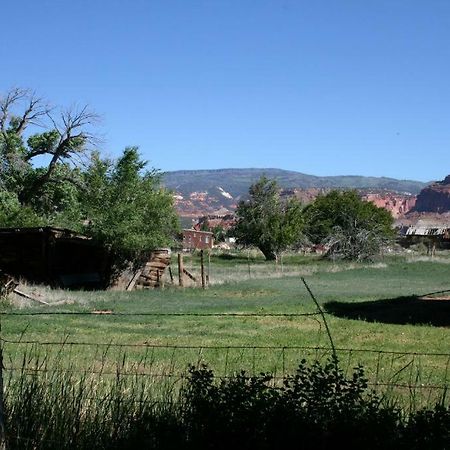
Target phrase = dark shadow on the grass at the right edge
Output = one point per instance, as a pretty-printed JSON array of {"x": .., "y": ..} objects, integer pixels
[{"x": 411, "y": 310}]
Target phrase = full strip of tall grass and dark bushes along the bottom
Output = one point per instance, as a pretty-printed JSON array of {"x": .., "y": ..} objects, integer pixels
[{"x": 317, "y": 408}]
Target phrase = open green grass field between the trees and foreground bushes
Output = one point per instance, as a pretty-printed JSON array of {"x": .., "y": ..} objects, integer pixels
[{"x": 373, "y": 311}]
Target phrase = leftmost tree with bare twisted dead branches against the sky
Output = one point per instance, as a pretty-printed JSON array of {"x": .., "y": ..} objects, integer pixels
[{"x": 31, "y": 130}]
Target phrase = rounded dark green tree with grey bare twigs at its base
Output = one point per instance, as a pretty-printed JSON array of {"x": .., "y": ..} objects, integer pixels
[{"x": 350, "y": 227}]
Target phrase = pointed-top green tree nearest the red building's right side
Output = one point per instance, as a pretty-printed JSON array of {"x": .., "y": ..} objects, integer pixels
[{"x": 266, "y": 221}]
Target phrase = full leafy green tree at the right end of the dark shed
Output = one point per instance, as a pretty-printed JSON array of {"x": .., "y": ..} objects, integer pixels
[{"x": 126, "y": 208}]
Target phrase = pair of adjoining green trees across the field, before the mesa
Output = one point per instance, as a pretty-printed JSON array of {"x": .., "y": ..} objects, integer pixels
[{"x": 349, "y": 227}]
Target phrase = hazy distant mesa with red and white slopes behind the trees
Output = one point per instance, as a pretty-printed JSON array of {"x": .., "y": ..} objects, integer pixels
[{"x": 217, "y": 192}]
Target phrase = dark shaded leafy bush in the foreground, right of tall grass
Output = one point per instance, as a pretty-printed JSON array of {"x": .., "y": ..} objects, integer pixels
[{"x": 318, "y": 406}]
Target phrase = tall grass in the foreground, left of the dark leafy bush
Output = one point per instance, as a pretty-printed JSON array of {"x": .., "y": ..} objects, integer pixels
[{"x": 47, "y": 408}]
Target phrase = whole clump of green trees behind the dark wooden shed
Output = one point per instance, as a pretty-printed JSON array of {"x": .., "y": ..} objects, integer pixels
[{"x": 51, "y": 175}]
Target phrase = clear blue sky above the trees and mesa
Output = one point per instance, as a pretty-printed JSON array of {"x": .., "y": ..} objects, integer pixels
[{"x": 333, "y": 87}]
